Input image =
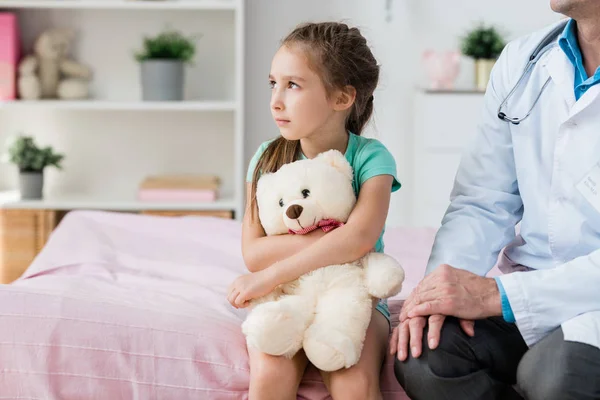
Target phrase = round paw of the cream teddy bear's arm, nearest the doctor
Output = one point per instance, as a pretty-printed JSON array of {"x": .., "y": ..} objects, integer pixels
[{"x": 383, "y": 274}]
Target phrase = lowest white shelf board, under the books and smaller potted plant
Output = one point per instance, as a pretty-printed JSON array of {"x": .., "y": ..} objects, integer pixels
[{"x": 11, "y": 200}]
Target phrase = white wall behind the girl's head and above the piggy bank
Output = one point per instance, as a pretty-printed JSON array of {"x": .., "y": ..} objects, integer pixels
[{"x": 397, "y": 44}]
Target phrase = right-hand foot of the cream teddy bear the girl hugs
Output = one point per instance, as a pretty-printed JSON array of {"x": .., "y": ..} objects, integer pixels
[{"x": 331, "y": 350}]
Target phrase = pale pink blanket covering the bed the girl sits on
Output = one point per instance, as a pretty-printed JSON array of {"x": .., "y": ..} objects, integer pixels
[{"x": 123, "y": 306}]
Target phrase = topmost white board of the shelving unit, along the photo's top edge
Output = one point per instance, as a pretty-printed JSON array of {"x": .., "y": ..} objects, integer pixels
[{"x": 123, "y": 4}]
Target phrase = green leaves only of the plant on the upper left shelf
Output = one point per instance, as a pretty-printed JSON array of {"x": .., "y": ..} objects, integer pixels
[{"x": 168, "y": 45}]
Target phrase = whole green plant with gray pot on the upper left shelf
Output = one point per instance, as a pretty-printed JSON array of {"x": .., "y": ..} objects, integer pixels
[{"x": 162, "y": 59}]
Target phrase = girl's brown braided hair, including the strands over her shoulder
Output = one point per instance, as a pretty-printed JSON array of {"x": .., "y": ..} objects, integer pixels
[{"x": 341, "y": 57}]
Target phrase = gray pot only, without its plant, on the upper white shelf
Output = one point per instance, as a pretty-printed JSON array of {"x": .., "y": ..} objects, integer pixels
[{"x": 162, "y": 80}]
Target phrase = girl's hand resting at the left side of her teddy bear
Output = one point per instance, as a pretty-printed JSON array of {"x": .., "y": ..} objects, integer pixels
[{"x": 251, "y": 286}]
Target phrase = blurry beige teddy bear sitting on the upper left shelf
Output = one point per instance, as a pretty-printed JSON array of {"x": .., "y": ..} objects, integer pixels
[{"x": 49, "y": 73}]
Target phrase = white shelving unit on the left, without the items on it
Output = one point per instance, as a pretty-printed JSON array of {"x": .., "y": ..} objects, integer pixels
[{"x": 114, "y": 139}]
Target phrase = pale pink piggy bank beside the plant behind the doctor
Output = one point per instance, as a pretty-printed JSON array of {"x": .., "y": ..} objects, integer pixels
[{"x": 441, "y": 68}]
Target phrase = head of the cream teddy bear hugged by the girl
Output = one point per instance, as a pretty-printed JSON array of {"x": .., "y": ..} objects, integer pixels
[{"x": 303, "y": 193}]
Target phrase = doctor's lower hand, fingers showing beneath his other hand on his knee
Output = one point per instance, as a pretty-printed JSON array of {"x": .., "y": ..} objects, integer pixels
[{"x": 410, "y": 333}]
